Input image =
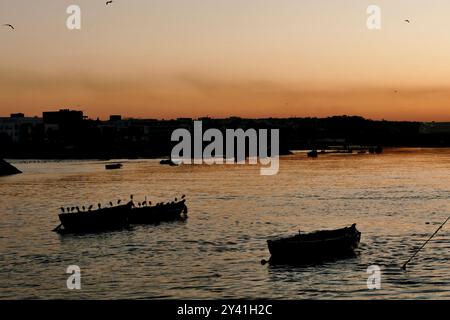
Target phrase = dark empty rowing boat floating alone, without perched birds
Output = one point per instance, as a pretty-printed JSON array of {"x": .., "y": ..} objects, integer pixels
[{"x": 316, "y": 246}]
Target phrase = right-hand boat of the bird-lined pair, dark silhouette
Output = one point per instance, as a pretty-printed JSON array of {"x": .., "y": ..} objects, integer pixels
[{"x": 159, "y": 213}]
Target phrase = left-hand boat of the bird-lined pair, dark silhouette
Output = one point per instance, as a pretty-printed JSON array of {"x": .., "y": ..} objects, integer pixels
[{"x": 106, "y": 219}]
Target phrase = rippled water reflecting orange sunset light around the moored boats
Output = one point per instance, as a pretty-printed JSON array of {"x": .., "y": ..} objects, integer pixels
[{"x": 397, "y": 199}]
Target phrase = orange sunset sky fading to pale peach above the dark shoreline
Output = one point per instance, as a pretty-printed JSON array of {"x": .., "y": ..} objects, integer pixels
[{"x": 250, "y": 58}]
